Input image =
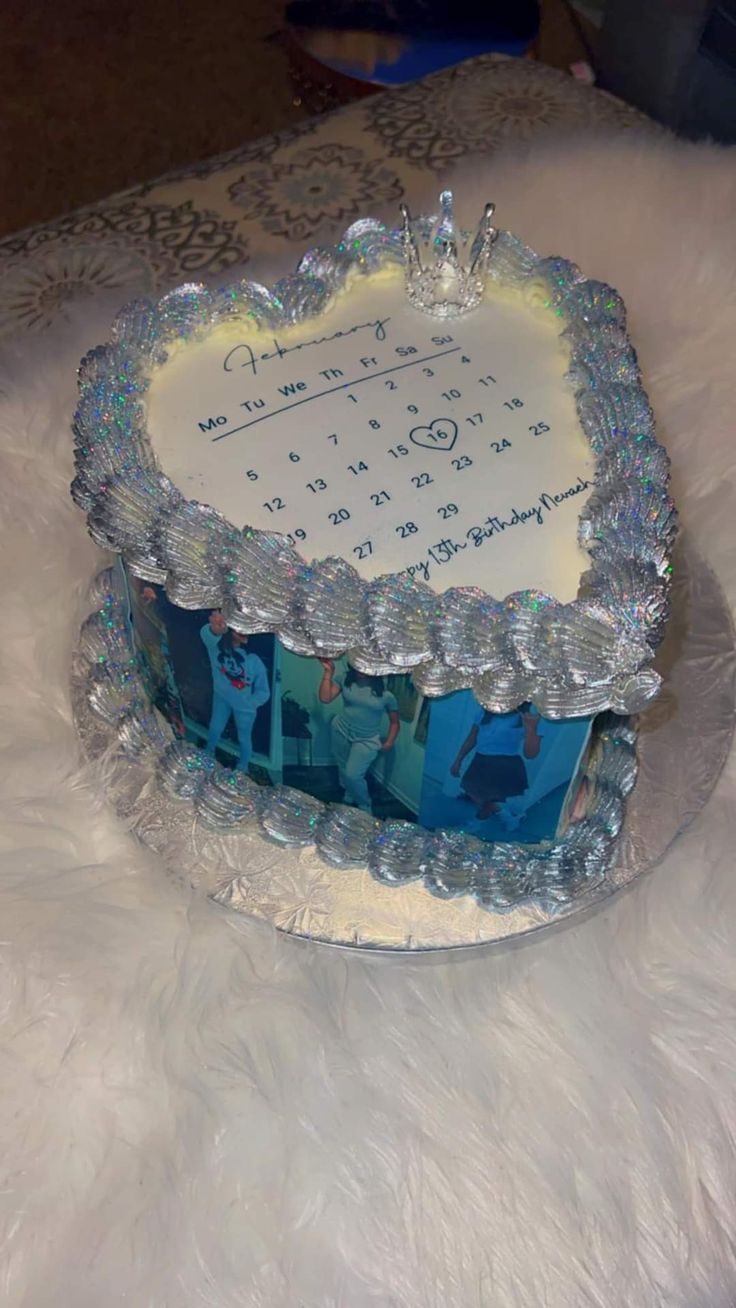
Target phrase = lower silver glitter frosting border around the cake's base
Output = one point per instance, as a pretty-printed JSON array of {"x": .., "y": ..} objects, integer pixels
[{"x": 499, "y": 877}]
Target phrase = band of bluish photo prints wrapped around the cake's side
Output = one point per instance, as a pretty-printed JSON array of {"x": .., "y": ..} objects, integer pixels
[{"x": 347, "y": 738}]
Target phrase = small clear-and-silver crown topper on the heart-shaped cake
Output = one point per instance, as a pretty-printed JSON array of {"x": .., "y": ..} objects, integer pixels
[{"x": 443, "y": 284}]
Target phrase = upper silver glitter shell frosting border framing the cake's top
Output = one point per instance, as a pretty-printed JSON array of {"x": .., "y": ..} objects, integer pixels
[{"x": 569, "y": 660}]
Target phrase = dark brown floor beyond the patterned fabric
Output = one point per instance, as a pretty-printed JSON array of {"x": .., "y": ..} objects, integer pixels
[{"x": 97, "y": 97}]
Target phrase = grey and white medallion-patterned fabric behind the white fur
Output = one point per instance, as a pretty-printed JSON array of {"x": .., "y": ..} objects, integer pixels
[{"x": 297, "y": 189}]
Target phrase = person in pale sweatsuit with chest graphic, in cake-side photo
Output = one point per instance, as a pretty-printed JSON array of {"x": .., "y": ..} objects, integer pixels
[{"x": 240, "y": 686}]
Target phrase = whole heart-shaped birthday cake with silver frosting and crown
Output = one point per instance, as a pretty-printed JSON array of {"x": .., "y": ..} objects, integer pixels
[{"x": 394, "y": 550}]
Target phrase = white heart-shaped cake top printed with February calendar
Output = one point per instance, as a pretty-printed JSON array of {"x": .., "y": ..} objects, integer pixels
[{"x": 446, "y": 451}]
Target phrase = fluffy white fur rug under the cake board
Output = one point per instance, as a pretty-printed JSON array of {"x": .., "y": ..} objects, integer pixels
[{"x": 197, "y": 1112}]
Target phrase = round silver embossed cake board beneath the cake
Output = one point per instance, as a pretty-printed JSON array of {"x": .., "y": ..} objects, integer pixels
[{"x": 684, "y": 741}]
